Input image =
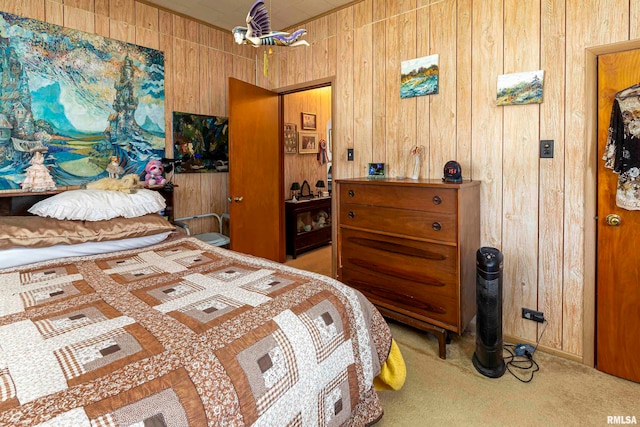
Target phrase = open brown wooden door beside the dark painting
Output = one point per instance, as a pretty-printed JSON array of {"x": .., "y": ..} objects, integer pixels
[{"x": 255, "y": 171}]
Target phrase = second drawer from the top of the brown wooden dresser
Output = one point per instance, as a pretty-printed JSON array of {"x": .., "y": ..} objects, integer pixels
[{"x": 427, "y": 225}]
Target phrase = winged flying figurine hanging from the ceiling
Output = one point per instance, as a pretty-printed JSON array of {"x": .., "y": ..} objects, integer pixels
[{"x": 258, "y": 30}]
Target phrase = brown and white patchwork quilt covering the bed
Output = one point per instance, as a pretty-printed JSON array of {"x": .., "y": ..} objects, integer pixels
[{"x": 184, "y": 333}]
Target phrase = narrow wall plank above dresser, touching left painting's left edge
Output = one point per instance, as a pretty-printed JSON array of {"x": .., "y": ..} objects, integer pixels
[{"x": 394, "y": 157}]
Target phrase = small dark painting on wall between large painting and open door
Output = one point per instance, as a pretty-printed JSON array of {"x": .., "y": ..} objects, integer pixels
[{"x": 200, "y": 143}]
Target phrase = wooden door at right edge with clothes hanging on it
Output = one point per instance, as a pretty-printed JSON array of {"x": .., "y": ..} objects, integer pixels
[{"x": 618, "y": 269}]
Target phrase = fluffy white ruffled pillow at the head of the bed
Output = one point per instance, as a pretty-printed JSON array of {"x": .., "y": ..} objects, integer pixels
[{"x": 99, "y": 205}]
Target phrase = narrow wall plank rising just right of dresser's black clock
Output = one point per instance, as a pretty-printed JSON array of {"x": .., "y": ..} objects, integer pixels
[{"x": 464, "y": 89}]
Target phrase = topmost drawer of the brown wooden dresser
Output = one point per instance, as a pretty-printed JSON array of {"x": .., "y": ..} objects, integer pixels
[{"x": 415, "y": 198}]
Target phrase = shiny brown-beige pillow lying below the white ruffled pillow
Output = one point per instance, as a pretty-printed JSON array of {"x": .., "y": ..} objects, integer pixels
[{"x": 39, "y": 232}]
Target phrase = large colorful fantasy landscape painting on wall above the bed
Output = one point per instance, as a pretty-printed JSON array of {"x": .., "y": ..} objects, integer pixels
[{"x": 84, "y": 97}]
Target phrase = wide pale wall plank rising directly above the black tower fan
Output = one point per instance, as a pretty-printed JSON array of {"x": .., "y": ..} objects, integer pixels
[{"x": 487, "y": 118}]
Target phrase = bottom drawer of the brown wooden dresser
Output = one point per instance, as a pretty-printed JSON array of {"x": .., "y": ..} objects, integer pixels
[{"x": 393, "y": 294}]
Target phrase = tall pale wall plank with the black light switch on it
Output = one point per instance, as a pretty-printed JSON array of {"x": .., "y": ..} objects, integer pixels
[{"x": 551, "y": 186}]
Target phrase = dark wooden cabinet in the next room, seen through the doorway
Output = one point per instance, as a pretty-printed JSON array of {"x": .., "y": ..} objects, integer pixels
[{"x": 308, "y": 224}]
